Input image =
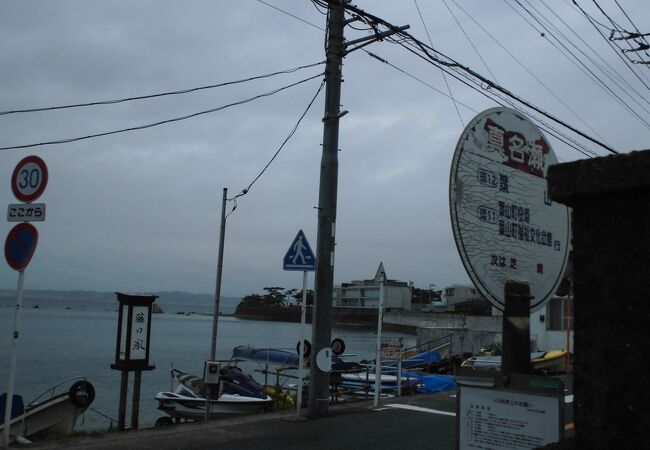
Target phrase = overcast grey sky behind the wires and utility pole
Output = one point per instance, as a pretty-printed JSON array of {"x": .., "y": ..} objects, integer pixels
[{"x": 139, "y": 211}]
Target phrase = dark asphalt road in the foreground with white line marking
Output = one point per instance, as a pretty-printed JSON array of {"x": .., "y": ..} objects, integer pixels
[{"x": 414, "y": 422}]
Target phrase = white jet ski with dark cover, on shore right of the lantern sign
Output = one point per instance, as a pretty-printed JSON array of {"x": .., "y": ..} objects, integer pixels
[{"x": 239, "y": 395}]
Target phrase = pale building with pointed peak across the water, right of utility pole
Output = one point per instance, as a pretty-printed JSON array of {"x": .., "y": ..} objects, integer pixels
[{"x": 364, "y": 294}]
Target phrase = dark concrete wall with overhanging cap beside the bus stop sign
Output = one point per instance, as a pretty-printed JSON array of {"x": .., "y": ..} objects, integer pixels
[{"x": 610, "y": 198}]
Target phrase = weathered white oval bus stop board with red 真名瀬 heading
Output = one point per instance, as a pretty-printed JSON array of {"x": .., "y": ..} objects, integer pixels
[{"x": 504, "y": 223}]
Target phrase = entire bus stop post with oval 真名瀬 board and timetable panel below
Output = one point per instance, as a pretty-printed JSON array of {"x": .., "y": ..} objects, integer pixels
[{"x": 514, "y": 243}]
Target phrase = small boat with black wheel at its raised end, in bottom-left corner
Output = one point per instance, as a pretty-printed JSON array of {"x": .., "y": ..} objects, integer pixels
[{"x": 50, "y": 413}]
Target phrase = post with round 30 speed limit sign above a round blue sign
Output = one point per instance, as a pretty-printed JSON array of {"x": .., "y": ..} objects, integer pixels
[{"x": 28, "y": 182}]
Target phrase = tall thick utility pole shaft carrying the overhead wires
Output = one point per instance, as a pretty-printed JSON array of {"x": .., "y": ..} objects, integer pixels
[{"x": 322, "y": 312}]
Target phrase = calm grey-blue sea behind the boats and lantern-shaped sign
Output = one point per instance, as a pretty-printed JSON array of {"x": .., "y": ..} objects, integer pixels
[{"x": 57, "y": 343}]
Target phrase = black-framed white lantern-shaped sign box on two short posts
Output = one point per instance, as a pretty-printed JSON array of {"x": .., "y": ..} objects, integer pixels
[{"x": 133, "y": 331}]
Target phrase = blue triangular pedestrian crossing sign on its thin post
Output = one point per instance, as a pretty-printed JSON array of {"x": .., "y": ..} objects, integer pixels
[{"x": 300, "y": 257}]
